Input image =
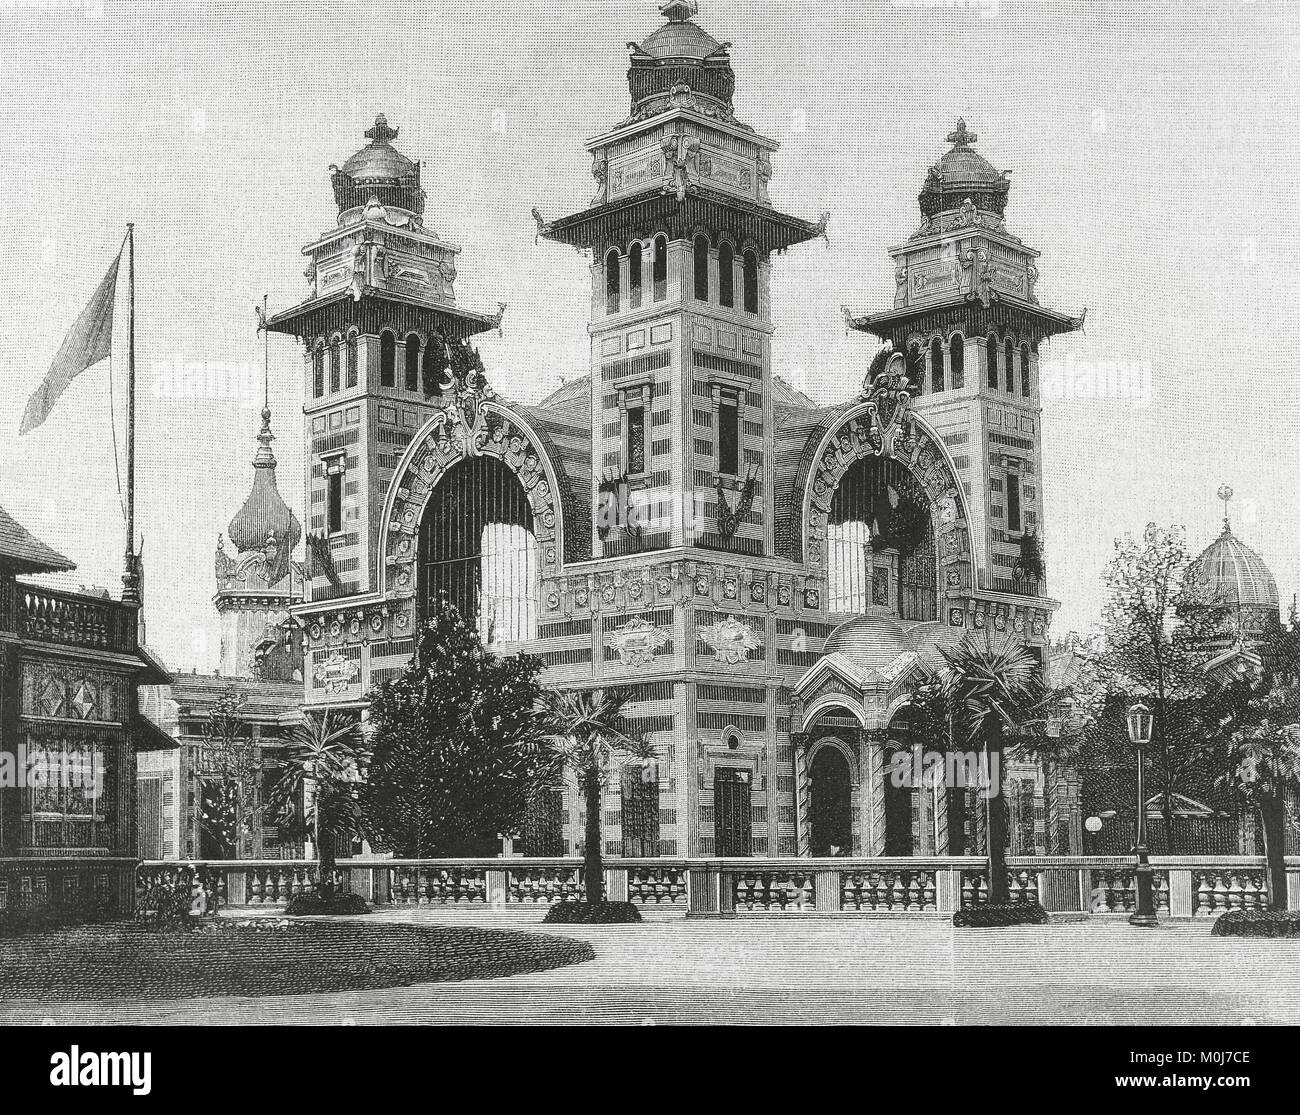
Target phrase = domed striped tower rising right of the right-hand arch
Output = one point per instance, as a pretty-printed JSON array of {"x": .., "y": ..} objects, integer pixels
[{"x": 968, "y": 313}]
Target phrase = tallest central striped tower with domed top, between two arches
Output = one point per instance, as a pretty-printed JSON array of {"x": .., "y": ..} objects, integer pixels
[{"x": 683, "y": 233}]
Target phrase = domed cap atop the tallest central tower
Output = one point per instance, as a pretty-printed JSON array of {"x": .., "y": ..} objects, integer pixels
[{"x": 681, "y": 58}]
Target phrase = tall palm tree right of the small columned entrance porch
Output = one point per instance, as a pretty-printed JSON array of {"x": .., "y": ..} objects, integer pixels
[{"x": 994, "y": 691}]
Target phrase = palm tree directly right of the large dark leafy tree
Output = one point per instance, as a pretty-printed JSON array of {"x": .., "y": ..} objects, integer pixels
[{"x": 587, "y": 731}]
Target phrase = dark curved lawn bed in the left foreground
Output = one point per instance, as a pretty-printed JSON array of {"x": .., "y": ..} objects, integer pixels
[{"x": 266, "y": 958}]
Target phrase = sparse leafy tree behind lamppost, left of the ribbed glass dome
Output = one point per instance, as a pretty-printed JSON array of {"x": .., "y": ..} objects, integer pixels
[{"x": 1155, "y": 644}]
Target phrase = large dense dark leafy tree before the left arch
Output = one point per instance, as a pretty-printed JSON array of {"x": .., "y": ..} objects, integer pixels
[{"x": 458, "y": 752}]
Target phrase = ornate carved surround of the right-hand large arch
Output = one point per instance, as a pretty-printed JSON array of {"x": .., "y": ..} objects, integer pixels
[{"x": 881, "y": 423}]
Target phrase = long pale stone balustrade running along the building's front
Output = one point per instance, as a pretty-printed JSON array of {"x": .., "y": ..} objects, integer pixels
[{"x": 1102, "y": 887}]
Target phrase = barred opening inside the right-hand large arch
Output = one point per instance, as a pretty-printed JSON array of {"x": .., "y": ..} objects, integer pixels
[{"x": 881, "y": 544}]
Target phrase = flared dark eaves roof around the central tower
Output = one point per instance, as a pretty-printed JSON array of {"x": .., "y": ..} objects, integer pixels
[{"x": 773, "y": 231}]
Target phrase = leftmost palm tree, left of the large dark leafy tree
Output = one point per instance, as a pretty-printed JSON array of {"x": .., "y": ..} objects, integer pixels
[{"x": 328, "y": 754}]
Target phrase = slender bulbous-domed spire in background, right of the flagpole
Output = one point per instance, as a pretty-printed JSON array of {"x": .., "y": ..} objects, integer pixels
[{"x": 262, "y": 582}]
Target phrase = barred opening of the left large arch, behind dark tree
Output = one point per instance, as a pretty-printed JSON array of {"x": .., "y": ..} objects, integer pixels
[{"x": 479, "y": 550}]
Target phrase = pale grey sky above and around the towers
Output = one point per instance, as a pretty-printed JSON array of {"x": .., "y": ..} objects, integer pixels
[{"x": 1152, "y": 151}]
